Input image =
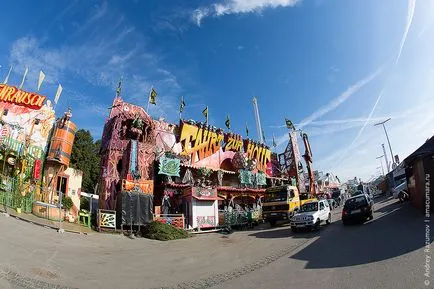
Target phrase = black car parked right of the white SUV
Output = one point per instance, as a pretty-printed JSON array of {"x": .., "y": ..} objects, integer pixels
[{"x": 360, "y": 207}]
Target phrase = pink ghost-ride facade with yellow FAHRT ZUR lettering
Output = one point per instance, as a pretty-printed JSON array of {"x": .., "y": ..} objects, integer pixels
[{"x": 187, "y": 174}]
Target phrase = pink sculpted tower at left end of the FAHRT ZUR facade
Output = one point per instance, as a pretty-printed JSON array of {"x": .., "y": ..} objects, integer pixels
[{"x": 128, "y": 152}]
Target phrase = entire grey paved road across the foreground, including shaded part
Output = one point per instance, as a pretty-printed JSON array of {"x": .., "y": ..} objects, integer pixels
[{"x": 384, "y": 253}]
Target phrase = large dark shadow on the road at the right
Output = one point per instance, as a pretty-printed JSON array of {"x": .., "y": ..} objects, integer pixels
[{"x": 397, "y": 232}]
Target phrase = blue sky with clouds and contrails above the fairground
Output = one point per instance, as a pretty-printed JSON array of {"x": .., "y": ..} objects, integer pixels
[{"x": 333, "y": 67}]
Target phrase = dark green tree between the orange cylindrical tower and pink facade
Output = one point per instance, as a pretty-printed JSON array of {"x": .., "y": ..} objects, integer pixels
[{"x": 85, "y": 157}]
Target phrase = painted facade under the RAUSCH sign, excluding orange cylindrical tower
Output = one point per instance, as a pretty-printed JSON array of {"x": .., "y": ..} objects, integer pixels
[{"x": 26, "y": 121}]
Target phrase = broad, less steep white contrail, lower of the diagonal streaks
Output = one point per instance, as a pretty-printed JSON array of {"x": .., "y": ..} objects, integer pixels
[{"x": 336, "y": 102}]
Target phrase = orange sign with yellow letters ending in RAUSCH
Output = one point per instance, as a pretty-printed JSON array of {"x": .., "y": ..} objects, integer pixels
[{"x": 20, "y": 97}]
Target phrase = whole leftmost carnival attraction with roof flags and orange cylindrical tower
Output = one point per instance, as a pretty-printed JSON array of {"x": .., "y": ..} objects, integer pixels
[{"x": 35, "y": 150}]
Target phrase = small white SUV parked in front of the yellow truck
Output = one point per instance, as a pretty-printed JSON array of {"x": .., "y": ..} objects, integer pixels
[{"x": 311, "y": 215}]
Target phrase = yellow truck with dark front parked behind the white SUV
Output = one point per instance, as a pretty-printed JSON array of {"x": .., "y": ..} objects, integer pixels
[{"x": 280, "y": 203}]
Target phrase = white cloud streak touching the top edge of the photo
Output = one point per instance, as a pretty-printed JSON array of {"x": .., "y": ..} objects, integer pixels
[{"x": 237, "y": 7}]
